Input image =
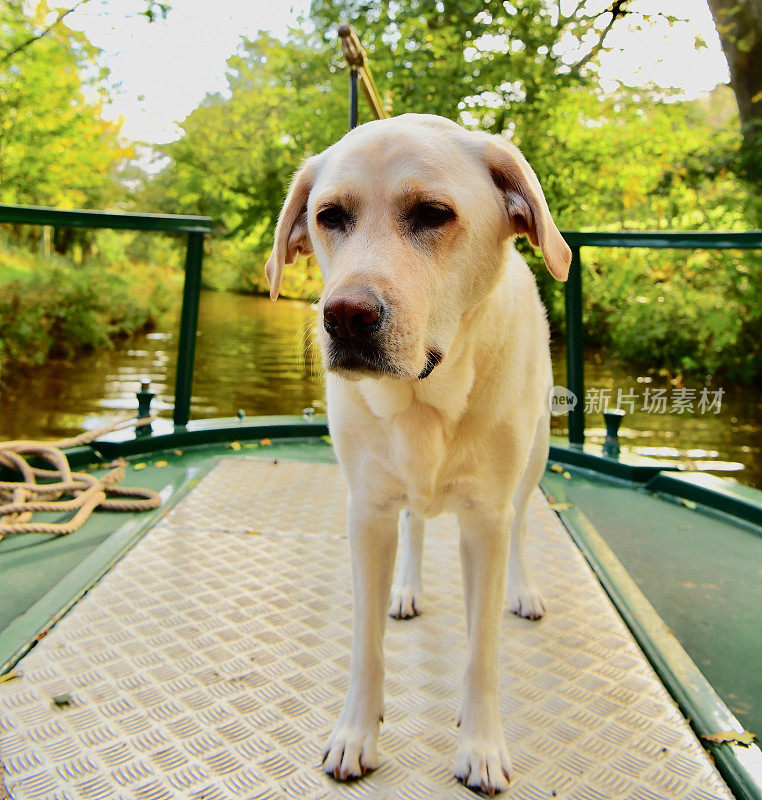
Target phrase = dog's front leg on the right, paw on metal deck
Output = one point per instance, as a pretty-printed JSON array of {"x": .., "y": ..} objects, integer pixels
[{"x": 482, "y": 761}]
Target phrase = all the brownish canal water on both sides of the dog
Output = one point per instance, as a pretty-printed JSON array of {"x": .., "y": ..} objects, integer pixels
[{"x": 261, "y": 358}]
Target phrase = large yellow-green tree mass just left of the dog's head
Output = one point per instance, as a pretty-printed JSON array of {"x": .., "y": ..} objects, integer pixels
[{"x": 240, "y": 149}]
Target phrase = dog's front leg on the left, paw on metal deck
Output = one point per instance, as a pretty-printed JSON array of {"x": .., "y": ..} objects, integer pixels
[{"x": 352, "y": 749}]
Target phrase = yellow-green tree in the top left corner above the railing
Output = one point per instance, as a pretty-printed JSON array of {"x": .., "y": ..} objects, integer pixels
[{"x": 55, "y": 147}]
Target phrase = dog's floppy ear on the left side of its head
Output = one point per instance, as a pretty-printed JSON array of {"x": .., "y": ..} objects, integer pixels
[{"x": 292, "y": 234}]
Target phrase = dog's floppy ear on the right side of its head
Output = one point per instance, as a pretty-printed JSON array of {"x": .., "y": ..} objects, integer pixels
[{"x": 525, "y": 203}]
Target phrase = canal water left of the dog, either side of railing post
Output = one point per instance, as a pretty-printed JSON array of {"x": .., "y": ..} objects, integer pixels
[{"x": 251, "y": 354}]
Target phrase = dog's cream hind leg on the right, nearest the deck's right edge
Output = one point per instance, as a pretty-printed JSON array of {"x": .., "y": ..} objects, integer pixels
[{"x": 524, "y": 599}]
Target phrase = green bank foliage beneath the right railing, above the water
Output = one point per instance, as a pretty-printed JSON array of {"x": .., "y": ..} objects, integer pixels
[{"x": 686, "y": 311}]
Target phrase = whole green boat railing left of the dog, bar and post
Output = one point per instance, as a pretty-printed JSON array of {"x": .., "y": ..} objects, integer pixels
[{"x": 194, "y": 227}]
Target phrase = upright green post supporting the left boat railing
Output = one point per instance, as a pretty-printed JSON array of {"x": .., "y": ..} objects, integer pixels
[{"x": 186, "y": 345}]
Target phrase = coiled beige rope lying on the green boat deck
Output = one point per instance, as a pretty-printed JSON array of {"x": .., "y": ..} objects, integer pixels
[{"x": 20, "y": 500}]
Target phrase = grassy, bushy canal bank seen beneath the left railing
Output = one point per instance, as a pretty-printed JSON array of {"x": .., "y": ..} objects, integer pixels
[{"x": 53, "y": 308}]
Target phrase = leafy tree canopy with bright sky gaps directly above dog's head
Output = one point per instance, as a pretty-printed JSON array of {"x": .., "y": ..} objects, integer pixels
[{"x": 478, "y": 60}]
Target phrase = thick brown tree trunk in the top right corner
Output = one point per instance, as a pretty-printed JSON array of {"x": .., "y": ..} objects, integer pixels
[{"x": 739, "y": 24}]
